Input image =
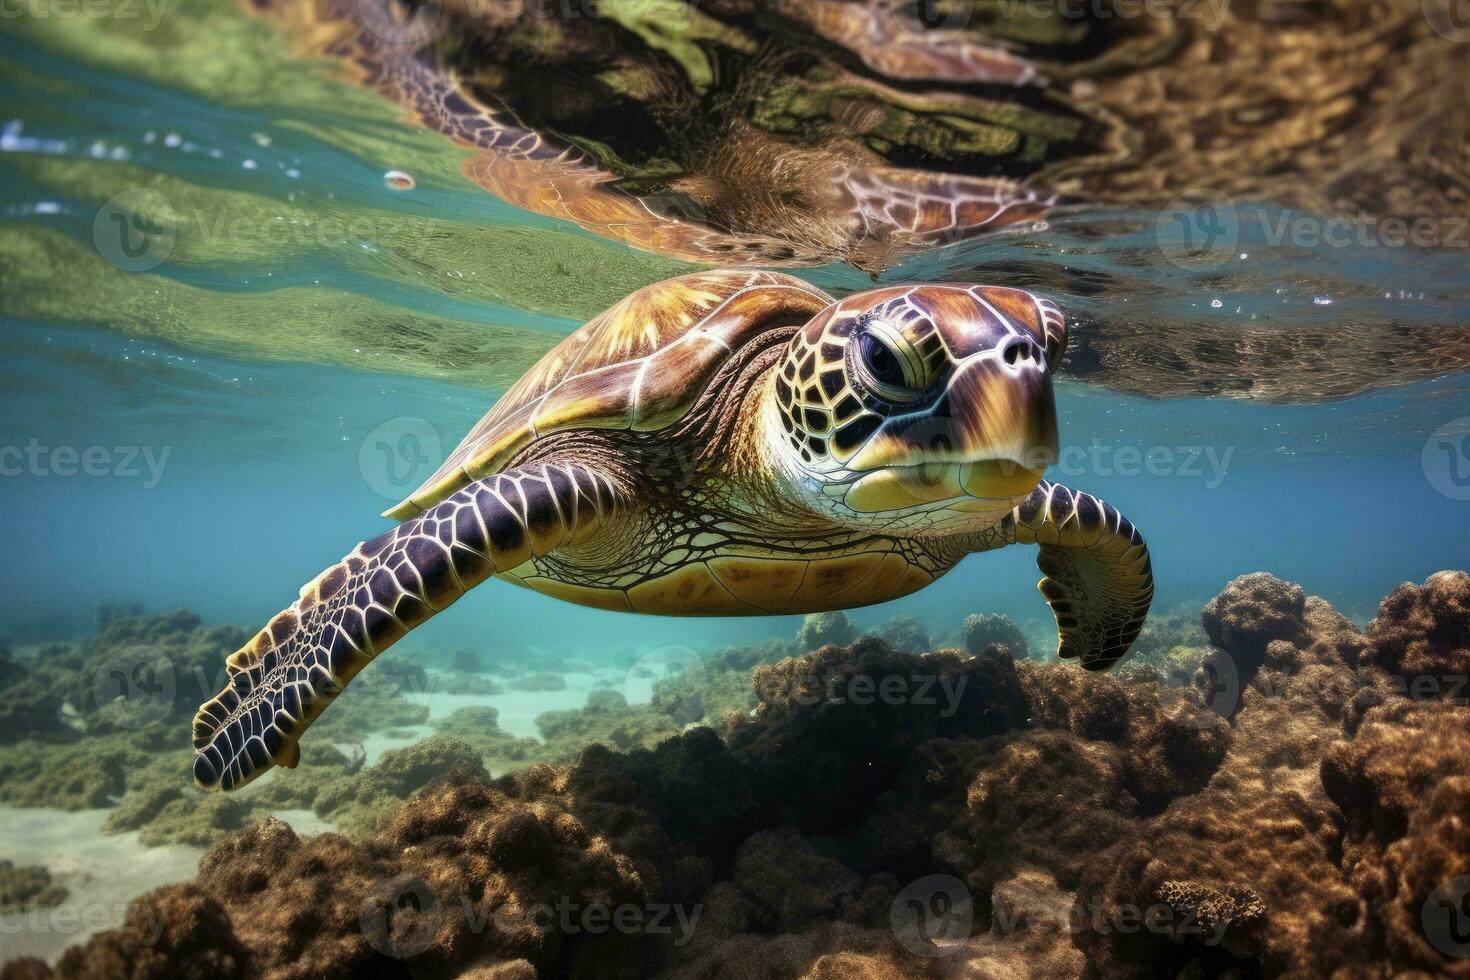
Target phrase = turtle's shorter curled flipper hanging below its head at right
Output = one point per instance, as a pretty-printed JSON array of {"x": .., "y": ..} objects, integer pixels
[{"x": 1099, "y": 581}]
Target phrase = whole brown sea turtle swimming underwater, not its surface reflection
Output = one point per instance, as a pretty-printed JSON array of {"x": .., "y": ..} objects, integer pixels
[{"x": 725, "y": 443}]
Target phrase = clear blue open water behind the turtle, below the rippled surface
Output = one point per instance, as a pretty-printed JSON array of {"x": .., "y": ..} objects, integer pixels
[{"x": 262, "y": 484}]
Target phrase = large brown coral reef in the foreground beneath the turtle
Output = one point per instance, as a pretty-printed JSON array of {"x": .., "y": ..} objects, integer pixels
[{"x": 1299, "y": 812}]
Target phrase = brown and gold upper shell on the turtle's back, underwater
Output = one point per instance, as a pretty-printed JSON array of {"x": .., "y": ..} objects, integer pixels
[{"x": 640, "y": 365}]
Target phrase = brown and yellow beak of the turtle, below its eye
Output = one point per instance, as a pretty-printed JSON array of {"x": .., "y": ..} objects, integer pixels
[{"x": 990, "y": 437}]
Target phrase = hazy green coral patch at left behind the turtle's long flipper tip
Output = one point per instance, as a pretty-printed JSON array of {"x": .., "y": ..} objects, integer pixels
[{"x": 98, "y": 725}]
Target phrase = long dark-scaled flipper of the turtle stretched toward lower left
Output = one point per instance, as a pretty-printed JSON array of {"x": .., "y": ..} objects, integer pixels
[{"x": 355, "y": 610}]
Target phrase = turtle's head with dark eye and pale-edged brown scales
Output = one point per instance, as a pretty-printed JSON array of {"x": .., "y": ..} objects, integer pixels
[{"x": 927, "y": 408}]
